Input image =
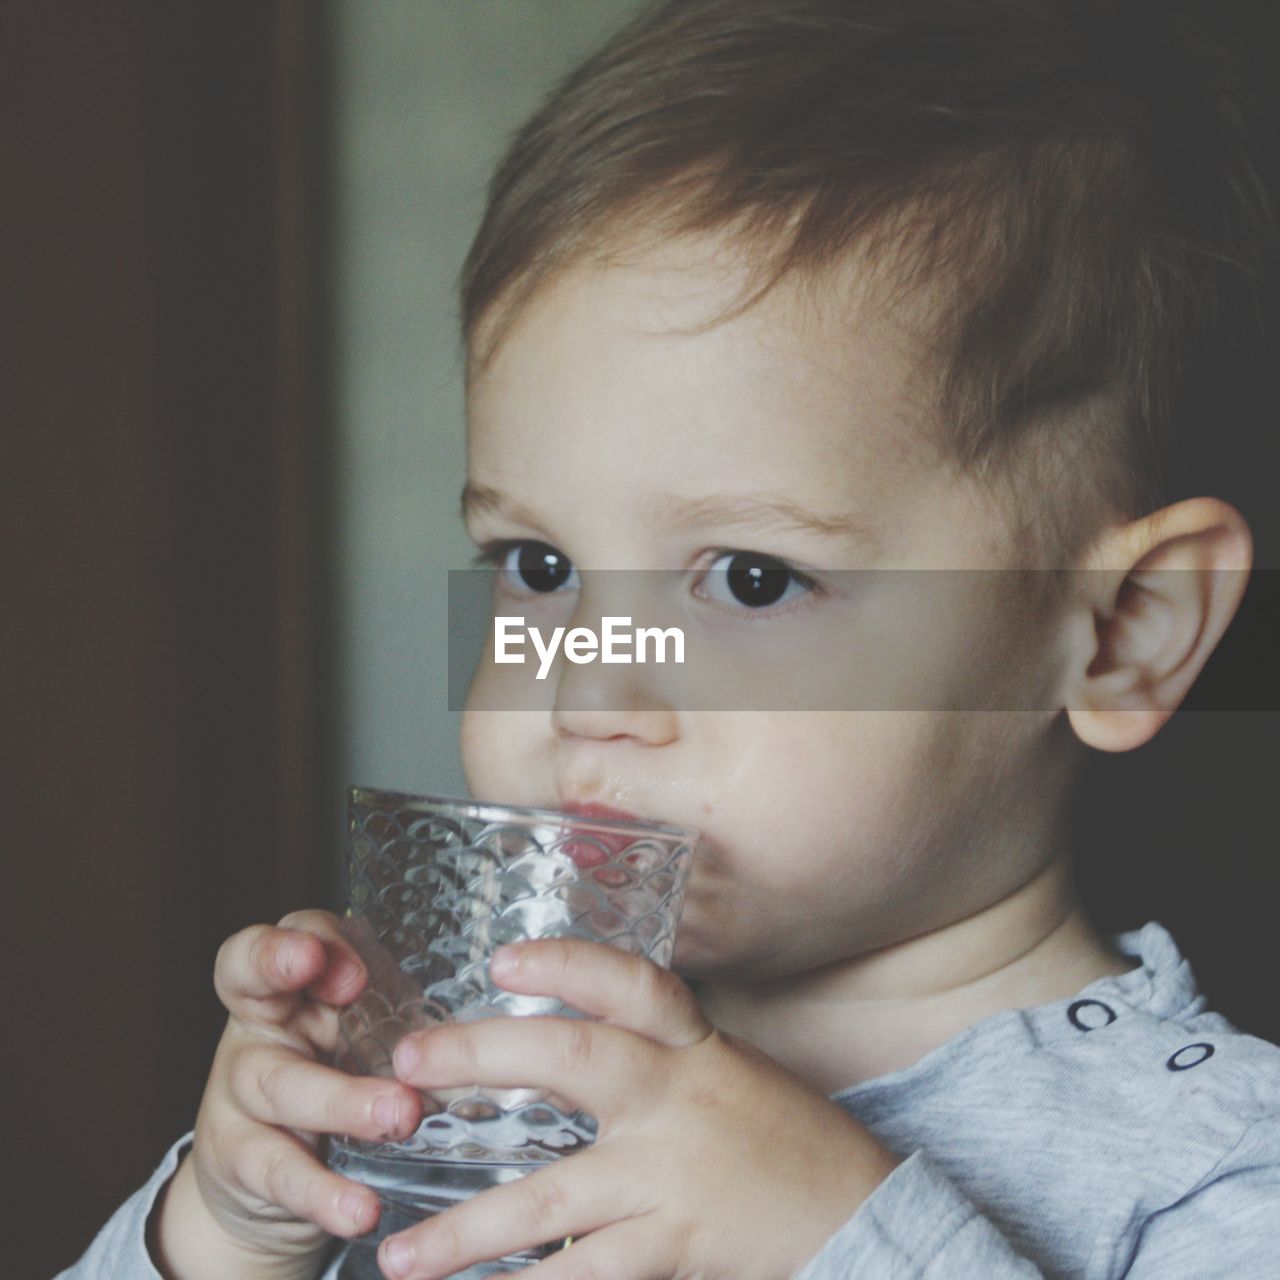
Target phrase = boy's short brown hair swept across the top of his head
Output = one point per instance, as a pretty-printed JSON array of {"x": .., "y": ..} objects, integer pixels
[{"x": 1067, "y": 184}]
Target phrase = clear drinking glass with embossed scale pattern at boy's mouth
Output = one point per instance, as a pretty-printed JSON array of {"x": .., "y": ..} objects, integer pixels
[{"x": 435, "y": 886}]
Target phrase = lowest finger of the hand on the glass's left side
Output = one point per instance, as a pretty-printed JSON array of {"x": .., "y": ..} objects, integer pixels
[{"x": 280, "y": 1171}]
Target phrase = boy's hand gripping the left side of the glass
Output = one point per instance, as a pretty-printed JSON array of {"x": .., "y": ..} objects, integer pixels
[{"x": 254, "y": 1197}]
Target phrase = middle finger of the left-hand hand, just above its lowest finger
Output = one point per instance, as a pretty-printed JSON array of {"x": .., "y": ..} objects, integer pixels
[{"x": 277, "y": 1087}]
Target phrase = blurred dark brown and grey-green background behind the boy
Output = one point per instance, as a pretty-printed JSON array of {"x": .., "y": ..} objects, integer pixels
[{"x": 232, "y": 456}]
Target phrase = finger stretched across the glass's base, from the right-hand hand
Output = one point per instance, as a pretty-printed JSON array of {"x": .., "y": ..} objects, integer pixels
[{"x": 563, "y": 1200}]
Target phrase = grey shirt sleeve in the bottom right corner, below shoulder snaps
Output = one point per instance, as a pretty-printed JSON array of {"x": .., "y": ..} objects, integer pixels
[{"x": 1228, "y": 1224}]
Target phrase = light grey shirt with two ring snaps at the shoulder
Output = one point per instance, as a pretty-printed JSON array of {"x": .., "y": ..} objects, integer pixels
[{"x": 1124, "y": 1132}]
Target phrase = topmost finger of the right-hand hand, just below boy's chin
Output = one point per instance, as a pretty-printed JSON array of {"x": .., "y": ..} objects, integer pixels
[{"x": 624, "y": 990}]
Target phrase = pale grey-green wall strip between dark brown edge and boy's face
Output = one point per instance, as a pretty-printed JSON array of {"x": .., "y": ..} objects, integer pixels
[{"x": 426, "y": 95}]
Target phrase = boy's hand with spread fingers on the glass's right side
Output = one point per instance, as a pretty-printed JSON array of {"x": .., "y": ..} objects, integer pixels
[{"x": 712, "y": 1160}]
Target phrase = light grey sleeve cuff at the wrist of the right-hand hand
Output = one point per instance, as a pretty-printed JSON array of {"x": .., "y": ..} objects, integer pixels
[{"x": 918, "y": 1226}]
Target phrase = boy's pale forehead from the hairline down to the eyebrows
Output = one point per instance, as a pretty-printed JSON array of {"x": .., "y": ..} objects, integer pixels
[{"x": 634, "y": 380}]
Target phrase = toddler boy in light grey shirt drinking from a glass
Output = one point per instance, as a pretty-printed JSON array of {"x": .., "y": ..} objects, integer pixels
[{"x": 772, "y": 295}]
